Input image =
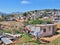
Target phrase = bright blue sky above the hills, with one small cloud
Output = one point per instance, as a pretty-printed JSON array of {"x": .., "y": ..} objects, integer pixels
[{"x": 9, "y": 6}]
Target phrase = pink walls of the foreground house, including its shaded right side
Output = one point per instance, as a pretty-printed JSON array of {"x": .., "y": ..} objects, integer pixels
[{"x": 50, "y": 30}]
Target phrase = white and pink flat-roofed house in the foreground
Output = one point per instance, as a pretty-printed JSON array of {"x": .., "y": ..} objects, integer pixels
[{"x": 42, "y": 29}]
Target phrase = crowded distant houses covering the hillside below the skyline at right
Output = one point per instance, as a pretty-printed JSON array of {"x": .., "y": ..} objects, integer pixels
[{"x": 55, "y": 15}]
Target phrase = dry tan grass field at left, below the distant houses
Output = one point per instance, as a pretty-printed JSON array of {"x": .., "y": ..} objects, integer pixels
[{"x": 11, "y": 24}]
